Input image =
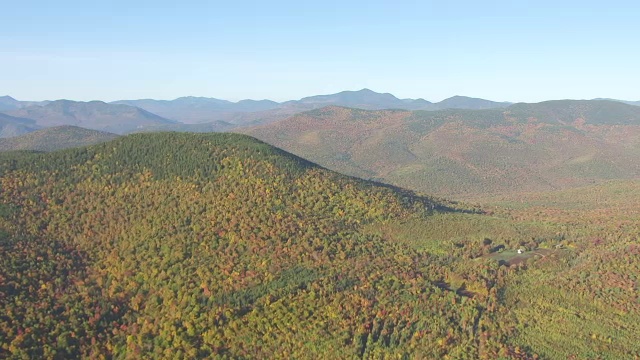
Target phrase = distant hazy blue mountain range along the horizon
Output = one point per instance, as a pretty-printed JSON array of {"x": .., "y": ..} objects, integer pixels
[{"x": 219, "y": 115}]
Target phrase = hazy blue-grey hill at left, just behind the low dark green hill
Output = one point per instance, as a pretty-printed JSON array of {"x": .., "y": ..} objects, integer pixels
[{"x": 95, "y": 115}]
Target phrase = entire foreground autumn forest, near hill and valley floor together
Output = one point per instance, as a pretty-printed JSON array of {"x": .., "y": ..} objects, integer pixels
[{"x": 184, "y": 246}]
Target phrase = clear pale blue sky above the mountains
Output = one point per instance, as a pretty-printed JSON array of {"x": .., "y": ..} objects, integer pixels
[{"x": 280, "y": 50}]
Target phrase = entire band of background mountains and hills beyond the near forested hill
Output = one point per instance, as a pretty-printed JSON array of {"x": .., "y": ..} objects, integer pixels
[{"x": 451, "y": 152}]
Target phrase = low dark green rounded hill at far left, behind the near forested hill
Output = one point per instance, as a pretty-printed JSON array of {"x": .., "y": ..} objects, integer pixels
[{"x": 55, "y": 138}]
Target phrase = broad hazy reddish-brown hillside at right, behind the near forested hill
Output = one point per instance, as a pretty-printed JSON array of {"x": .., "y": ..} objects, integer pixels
[{"x": 544, "y": 146}]
